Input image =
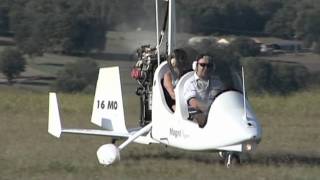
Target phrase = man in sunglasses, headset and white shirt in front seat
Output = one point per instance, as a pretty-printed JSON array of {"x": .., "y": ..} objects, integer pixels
[{"x": 201, "y": 88}]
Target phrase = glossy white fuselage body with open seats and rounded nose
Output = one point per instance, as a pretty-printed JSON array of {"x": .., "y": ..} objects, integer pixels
[{"x": 227, "y": 125}]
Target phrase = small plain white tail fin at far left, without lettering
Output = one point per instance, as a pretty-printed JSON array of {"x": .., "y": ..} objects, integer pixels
[{"x": 54, "y": 125}]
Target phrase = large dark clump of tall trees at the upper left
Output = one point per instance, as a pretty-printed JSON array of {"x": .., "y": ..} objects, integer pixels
[{"x": 60, "y": 26}]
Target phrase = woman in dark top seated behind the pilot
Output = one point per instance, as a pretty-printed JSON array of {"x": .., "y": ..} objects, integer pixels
[{"x": 177, "y": 66}]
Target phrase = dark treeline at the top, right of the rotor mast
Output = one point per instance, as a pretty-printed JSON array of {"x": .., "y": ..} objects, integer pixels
[{"x": 289, "y": 19}]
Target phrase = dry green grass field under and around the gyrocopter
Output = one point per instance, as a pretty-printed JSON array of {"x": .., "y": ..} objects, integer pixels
[{"x": 289, "y": 148}]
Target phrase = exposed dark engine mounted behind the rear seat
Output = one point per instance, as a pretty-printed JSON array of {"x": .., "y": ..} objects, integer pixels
[{"x": 143, "y": 72}]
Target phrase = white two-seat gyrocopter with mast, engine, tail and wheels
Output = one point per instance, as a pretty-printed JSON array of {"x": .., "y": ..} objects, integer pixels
[{"x": 231, "y": 129}]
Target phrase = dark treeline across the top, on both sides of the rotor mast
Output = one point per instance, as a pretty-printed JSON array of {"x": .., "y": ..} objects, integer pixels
[{"x": 75, "y": 26}]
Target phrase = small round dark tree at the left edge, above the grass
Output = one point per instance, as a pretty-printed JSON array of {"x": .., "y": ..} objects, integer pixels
[{"x": 12, "y": 63}]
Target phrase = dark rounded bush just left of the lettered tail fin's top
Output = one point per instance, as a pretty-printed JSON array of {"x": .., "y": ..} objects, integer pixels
[{"x": 77, "y": 76}]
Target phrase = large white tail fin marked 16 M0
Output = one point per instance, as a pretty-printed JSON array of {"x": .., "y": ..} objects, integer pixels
[{"x": 107, "y": 111}]
